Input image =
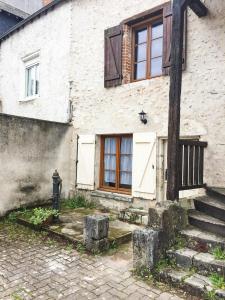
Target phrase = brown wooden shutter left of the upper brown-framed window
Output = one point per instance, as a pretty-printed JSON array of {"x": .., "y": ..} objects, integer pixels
[{"x": 113, "y": 56}]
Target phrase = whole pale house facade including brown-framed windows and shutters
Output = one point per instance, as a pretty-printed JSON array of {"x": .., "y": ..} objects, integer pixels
[{"x": 121, "y": 160}]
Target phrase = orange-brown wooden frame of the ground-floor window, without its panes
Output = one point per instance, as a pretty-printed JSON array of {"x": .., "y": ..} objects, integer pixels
[{"x": 103, "y": 187}]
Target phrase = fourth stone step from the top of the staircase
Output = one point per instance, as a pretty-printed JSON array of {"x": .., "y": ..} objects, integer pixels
[{"x": 200, "y": 240}]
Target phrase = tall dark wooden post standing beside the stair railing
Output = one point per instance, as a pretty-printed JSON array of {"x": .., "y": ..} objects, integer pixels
[{"x": 174, "y": 101}]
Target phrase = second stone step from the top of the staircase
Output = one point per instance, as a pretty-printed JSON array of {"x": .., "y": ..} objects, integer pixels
[{"x": 211, "y": 206}]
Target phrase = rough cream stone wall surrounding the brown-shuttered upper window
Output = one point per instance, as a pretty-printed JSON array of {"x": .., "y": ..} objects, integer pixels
[{"x": 115, "y": 110}]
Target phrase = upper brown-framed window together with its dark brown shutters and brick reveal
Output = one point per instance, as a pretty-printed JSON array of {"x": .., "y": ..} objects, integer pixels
[{"x": 140, "y": 47}]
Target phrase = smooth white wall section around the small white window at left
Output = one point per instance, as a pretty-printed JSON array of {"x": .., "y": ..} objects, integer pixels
[{"x": 49, "y": 34}]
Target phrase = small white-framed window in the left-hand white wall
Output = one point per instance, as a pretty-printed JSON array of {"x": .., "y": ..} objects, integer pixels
[{"x": 32, "y": 81}]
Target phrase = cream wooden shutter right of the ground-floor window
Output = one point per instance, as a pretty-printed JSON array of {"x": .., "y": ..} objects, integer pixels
[{"x": 144, "y": 165}]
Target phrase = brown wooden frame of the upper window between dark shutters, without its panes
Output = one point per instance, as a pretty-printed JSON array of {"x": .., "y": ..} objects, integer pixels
[{"x": 147, "y": 23}]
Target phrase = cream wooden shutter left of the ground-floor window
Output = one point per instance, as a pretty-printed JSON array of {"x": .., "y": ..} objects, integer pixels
[{"x": 86, "y": 162}]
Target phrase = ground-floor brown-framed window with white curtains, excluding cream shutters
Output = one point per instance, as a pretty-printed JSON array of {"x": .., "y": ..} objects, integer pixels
[{"x": 116, "y": 163}]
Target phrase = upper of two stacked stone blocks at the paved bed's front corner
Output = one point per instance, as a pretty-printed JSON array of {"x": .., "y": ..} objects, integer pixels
[{"x": 96, "y": 227}]
